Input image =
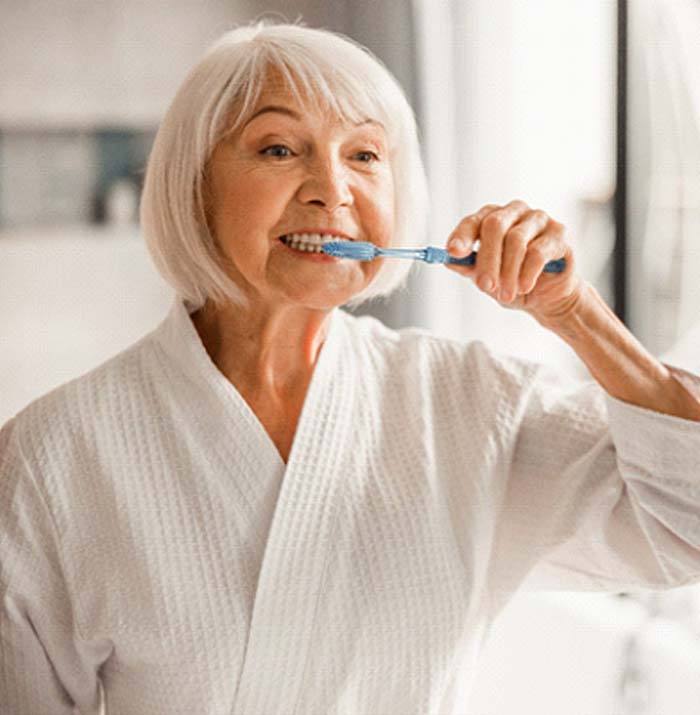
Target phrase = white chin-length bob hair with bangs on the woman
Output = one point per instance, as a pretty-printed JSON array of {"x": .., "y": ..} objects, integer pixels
[{"x": 318, "y": 65}]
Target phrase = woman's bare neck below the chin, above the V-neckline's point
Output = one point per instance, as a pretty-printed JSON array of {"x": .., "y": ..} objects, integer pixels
[{"x": 271, "y": 351}]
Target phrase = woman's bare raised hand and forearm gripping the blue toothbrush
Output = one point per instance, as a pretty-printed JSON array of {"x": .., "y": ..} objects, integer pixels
[{"x": 516, "y": 243}]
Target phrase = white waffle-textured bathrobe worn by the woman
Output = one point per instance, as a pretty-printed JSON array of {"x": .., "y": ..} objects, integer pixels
[{"x": 159, "y": 558}]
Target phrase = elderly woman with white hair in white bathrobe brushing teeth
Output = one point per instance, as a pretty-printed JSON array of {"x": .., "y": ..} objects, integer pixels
[{"x": 268, "y": 506}]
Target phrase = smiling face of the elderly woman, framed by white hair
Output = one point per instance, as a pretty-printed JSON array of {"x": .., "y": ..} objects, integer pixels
[{"x": 293, "y": 170}]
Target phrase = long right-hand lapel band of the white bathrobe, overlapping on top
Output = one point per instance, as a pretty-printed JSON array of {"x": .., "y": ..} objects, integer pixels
[{"x": 292, "y": 573}]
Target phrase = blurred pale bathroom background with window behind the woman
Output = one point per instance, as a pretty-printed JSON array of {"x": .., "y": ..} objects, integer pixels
[{"x": 588, "y": 110}]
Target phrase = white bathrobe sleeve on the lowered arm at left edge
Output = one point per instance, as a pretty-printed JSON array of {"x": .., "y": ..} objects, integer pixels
[{"x": 43, "y": 667}]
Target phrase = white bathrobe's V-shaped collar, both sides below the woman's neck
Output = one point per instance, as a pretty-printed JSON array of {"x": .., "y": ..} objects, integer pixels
[{"x": 306, "y": 513}]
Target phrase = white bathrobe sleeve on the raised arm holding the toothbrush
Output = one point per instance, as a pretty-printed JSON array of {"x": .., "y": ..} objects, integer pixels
[{"x": 599, "y": 494}]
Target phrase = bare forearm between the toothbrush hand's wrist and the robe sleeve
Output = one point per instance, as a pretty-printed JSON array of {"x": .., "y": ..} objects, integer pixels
[{"x": 618, "y": 361}]
